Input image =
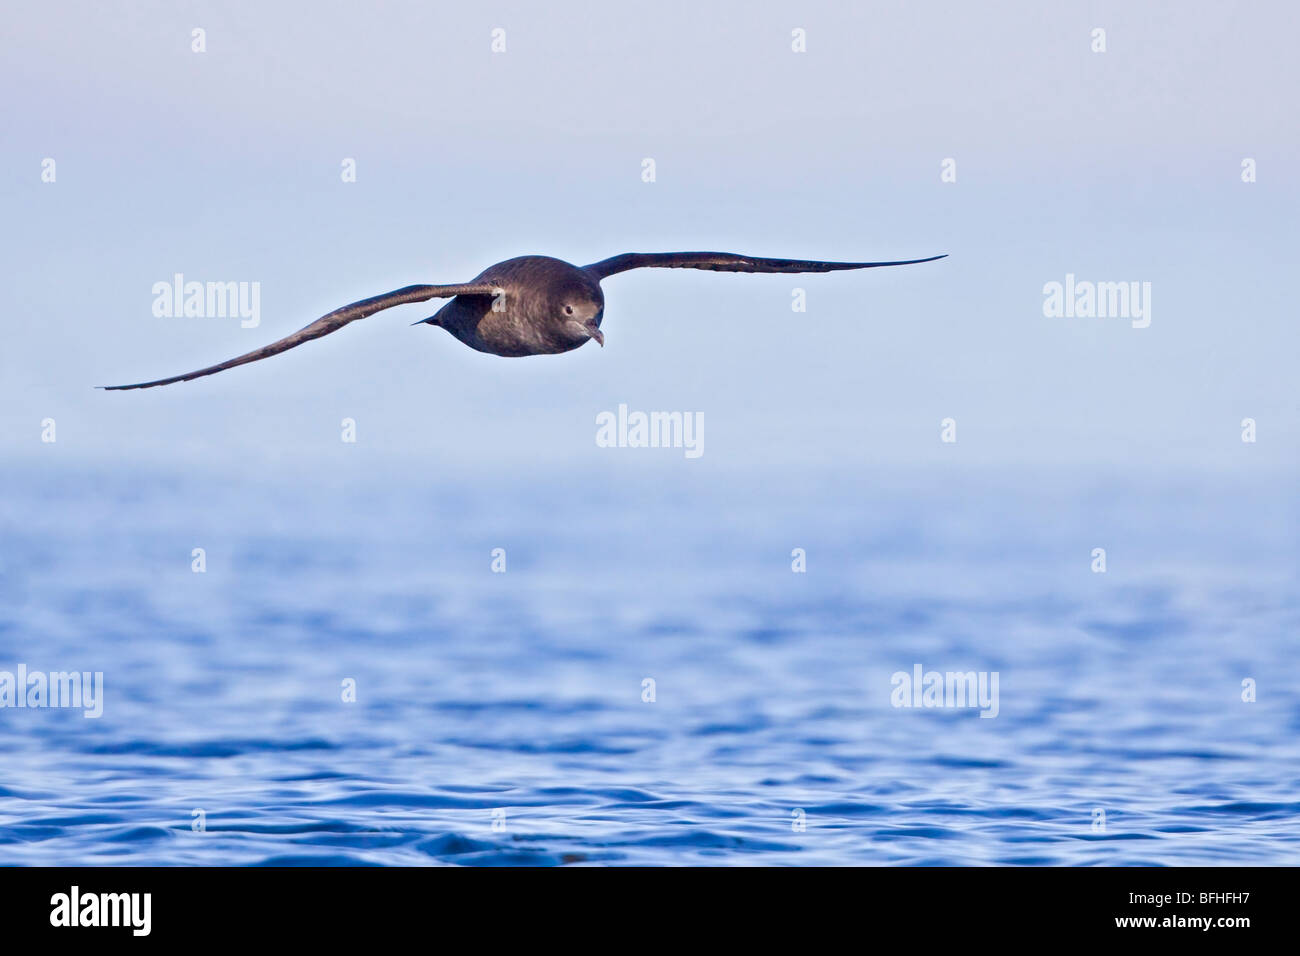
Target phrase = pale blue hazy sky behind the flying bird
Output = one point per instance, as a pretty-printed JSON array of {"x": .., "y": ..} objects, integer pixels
[{"x": 226, "y": 166}]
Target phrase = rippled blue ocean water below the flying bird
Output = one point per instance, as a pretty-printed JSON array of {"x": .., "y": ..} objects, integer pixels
[{"x": 504, "y": 717}]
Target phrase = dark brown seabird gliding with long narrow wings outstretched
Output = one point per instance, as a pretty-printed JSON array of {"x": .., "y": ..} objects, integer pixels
[{"x": 526, "y": 306}]
